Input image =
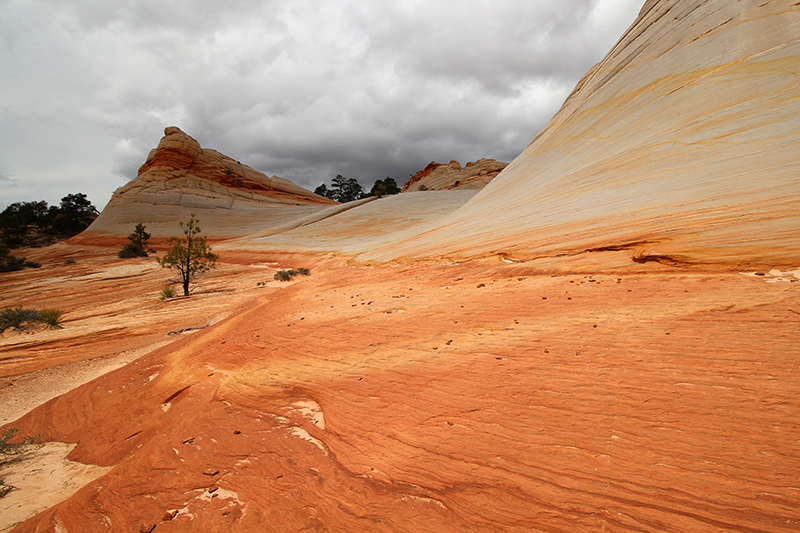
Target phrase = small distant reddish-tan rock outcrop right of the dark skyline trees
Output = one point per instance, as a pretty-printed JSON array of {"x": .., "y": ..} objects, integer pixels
[{"x": 438, "y": 177}]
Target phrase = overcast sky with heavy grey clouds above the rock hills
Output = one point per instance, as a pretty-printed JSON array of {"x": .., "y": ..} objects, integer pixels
[{"x": 299, "y": 88}]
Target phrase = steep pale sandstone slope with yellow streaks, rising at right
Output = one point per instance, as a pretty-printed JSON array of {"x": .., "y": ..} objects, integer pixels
[{"x": 680, "y": 146}]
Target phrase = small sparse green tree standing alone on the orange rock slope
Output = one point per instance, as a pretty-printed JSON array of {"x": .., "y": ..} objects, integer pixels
[{"x": 189, "y": 255}]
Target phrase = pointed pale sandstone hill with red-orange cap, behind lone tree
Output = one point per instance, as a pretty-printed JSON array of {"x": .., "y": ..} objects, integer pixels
[{"x": 179, "y": 178}]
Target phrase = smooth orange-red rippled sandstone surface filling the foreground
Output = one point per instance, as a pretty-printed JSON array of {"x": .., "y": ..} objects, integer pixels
[{"x": 462, "y": 398}]
